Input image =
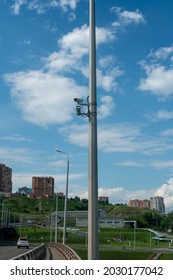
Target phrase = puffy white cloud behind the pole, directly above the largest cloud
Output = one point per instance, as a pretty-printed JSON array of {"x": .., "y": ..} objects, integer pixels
[{"x": 74, "y": 46}]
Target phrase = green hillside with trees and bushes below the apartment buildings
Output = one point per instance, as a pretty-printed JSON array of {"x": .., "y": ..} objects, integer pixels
[{"x": 41, "y": 208}]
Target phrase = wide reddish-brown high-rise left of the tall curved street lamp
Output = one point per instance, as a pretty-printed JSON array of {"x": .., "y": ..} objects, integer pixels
[{"x": 42, "y": 186}]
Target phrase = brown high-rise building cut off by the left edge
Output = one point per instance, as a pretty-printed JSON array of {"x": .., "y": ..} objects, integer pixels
[{"x": 5, "y": 179}]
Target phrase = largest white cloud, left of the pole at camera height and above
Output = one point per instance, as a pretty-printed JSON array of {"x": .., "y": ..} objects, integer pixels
[{"x": 44, "y": 98}]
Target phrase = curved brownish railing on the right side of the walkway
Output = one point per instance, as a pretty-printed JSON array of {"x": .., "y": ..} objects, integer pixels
[{"x": 66, "y": 252}]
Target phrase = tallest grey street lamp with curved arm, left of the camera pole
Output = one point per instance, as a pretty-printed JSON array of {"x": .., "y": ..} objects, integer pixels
[{"x": 66, "y": 195}]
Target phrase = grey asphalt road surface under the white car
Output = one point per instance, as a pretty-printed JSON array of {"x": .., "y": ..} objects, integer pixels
[{"x": 9, "y": 251}]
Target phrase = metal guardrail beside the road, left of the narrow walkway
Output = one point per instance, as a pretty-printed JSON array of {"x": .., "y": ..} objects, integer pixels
[{"x": 37, "y": 253}]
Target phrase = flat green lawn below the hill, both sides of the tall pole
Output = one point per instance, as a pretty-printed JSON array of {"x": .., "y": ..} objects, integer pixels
[{"x": 109, "y": 239}]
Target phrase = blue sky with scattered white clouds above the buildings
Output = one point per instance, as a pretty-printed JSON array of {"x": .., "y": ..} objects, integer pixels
[{"x": 44, "y": 65}]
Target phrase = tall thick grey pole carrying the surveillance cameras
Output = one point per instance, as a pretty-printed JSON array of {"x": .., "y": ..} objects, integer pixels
[{"x": 92, "y": 153}]
